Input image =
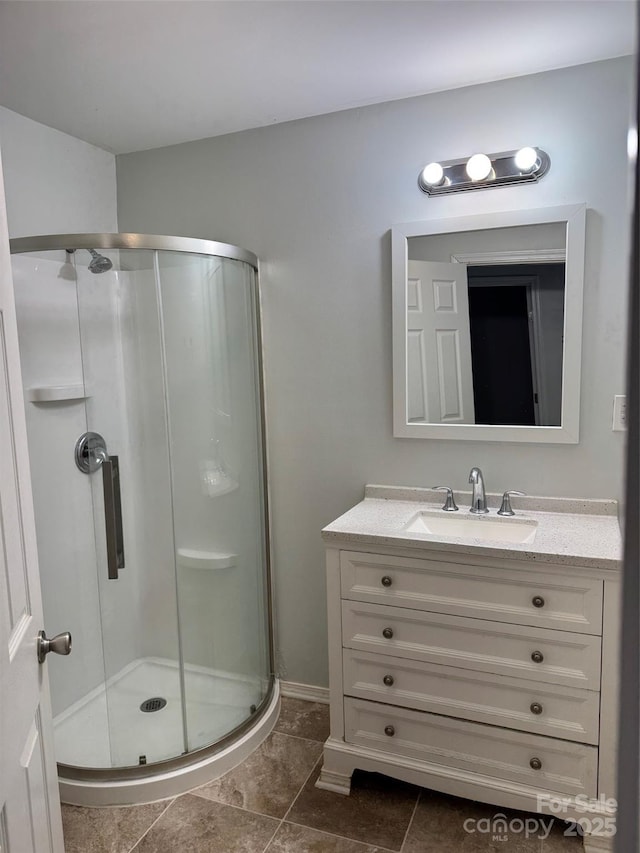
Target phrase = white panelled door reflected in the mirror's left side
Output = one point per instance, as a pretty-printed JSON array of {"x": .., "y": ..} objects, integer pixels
[{"x": 439, "y": 374}]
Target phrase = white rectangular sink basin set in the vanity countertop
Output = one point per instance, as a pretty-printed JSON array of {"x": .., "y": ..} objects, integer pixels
[{"x": 472, "y": 527}]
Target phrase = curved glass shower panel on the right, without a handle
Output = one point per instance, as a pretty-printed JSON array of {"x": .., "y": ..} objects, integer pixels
[{"x": 208, "y": 315}]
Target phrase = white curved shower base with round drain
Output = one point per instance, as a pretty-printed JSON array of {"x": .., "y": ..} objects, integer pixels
[{"x": 106, "y": 728}]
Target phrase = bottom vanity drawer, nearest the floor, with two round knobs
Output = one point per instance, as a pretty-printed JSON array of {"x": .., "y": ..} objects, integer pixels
[{"x": 564, "y": 768}]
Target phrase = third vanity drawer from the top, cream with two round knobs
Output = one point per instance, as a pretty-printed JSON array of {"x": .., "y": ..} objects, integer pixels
[{"x": 531, "y": 706}]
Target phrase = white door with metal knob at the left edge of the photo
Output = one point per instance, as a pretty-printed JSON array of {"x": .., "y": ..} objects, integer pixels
[{"x": 30, "y": 820}]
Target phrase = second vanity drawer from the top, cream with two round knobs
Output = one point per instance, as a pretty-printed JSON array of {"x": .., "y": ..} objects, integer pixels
[{"x": 538, "y": 654}]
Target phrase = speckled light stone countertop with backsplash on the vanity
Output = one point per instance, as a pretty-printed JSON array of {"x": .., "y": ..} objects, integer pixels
[{"x": 569, "y": 531}]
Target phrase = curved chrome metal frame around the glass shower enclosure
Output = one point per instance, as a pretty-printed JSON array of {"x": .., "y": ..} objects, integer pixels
[{"x": 270, "y": 704}]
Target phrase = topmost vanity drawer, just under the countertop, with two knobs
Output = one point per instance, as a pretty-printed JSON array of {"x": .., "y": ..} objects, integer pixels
[{"x": 549, "y": 600}]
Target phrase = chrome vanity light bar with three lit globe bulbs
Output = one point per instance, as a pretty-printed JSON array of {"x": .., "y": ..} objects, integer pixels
[{"x": 480, "y": 171}]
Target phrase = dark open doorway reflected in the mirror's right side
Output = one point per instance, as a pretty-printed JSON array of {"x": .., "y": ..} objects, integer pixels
[{"x": 516, "y": 315}]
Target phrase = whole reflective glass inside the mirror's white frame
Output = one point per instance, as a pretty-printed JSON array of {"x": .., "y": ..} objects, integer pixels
[{"x": 485, "y": 343}]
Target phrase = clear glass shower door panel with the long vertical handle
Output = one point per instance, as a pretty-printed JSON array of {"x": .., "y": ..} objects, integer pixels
[{"x": 124, "y": 455}]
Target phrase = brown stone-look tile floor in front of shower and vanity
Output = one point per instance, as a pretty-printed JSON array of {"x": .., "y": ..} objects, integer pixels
[{"x": 269, "y": 805}]
